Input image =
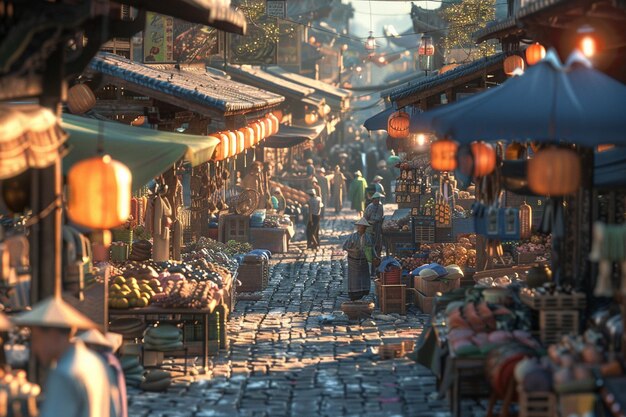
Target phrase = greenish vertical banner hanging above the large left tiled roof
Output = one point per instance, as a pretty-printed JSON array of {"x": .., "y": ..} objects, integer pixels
[{"x": 158, "y": 38}]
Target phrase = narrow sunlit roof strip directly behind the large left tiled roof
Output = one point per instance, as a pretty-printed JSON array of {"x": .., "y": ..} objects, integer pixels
[{"x": 263, "y": 79}]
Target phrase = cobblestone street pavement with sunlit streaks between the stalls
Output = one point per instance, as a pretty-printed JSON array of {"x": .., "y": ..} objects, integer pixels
[{"x": 283, "y": 361}]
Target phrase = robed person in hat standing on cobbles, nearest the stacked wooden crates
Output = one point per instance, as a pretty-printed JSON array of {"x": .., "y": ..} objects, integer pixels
[{"x": 361, "y": 253}]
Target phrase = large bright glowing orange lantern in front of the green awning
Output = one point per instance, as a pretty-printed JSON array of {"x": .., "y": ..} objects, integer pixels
[{"x": 99, "y": 193}]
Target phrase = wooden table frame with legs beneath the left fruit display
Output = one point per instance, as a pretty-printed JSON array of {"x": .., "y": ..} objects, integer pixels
[{"x": 213, "y": 307}]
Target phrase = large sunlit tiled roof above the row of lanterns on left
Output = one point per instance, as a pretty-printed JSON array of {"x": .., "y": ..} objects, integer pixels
[{"x": 205, "y": 89}]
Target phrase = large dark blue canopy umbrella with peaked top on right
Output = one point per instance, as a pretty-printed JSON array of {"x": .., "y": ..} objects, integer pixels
[{"x": 550, "y": 102}]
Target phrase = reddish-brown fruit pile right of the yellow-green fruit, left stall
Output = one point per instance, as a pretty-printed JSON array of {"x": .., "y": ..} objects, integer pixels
[{"x": 186, "y": 294}]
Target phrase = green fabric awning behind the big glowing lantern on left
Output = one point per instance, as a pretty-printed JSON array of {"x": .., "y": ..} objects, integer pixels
[{"x": 147, "y": 153}]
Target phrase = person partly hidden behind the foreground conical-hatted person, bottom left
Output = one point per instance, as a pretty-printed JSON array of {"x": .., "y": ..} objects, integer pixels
[{"x": 105, "y": 345}]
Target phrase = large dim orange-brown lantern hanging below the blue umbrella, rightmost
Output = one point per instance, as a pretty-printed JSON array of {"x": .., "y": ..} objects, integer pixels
[{"x": 554, "y": 172}]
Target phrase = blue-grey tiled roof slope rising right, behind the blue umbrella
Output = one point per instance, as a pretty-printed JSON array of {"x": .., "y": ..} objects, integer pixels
[{"x": 424, "y": 84}]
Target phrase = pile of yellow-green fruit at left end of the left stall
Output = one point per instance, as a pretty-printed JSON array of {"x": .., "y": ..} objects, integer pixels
[{"x": 130, "y": 292}]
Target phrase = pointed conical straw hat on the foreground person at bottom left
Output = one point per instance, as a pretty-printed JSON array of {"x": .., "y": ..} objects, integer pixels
[{"x": 54, "y": 312}]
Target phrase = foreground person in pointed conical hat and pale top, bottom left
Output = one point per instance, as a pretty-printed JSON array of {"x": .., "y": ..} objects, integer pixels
[{"x": 78, "y": 382}]
